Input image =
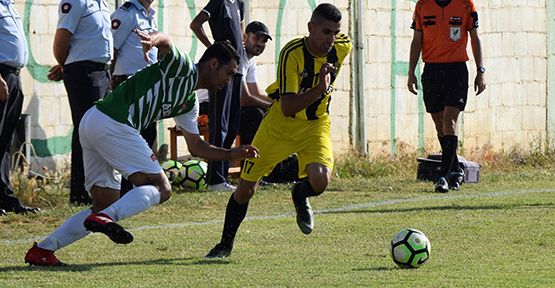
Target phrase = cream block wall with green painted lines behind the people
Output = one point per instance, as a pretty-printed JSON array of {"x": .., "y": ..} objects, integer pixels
[{"x": 517, "y": 39}]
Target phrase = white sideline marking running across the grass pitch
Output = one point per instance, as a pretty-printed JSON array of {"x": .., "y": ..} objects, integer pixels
[{"x": 346, "y": 208}]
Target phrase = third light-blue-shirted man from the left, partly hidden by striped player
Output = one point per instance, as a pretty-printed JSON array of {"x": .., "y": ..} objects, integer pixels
[{"x": 128, "y": 52}]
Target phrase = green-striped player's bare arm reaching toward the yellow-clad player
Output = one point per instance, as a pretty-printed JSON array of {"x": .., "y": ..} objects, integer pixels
[{"x": 200, "y": 148}]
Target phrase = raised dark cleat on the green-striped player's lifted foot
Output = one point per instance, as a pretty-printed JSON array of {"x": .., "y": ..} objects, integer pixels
[{"x": 100, "y": 222}]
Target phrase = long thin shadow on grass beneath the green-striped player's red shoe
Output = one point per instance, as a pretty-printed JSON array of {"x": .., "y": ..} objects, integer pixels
[{"x": 86, "y": 267}]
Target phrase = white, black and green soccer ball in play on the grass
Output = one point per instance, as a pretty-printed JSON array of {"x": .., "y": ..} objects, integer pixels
[{"x": 410, "y": 248}]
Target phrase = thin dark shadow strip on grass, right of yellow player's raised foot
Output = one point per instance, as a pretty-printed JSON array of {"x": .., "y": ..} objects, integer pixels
[{"x": 443, "y": 208}]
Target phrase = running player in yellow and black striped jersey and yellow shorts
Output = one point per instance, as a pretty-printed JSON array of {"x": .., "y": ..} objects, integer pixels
[{"x": 297, "y": 122}]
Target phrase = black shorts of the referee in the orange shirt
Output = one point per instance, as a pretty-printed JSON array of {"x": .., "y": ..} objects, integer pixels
[{"x": 445, "y": 84}]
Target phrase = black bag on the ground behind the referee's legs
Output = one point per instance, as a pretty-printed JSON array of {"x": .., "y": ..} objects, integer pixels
[{"x": 428, "y": 169}]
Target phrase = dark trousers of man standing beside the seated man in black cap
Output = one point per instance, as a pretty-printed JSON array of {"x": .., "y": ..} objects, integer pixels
[{"x": 224, "y": 119}]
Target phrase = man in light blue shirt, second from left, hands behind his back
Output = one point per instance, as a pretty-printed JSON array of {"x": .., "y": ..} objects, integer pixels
[{"x": 83, "y": 46}]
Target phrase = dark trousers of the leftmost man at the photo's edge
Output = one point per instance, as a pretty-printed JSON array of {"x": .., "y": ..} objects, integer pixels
[{"x": 10, "y": 111}]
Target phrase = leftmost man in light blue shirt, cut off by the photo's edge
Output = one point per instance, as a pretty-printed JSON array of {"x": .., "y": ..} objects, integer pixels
[{"x": 13, "y": 56}]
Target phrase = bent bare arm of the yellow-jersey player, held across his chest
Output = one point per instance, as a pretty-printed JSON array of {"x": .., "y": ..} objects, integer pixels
[{"x": 293, "y": 103}]
